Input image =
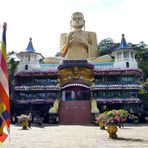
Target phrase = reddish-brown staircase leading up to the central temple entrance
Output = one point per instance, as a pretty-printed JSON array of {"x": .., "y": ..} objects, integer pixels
[{"x": 75, "y": 112}]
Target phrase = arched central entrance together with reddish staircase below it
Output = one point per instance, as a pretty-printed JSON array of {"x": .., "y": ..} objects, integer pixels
[{"x": 75, "y": 106}]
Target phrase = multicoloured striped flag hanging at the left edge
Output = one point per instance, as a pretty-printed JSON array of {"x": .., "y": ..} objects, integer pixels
[{"x": 4, "y": 89}]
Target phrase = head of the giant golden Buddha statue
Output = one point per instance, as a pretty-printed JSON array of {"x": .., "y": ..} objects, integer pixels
[{"x": 77, "y": 21}]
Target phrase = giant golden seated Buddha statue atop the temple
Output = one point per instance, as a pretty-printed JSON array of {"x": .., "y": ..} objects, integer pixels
[{"x": 78, "y": 43}]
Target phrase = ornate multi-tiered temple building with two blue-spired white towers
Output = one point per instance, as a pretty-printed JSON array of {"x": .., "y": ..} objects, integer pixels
[{"x": 73, "y": 90}]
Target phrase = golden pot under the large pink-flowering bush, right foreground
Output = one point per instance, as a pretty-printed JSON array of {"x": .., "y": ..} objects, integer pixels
[{"x": 112, "y": 130}]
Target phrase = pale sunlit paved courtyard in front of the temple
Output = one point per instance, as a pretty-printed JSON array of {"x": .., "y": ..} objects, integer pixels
[{"x": 77, "y": 136}]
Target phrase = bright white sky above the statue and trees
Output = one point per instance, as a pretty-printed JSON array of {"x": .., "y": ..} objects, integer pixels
[{"x": 45, "y": 20}]
